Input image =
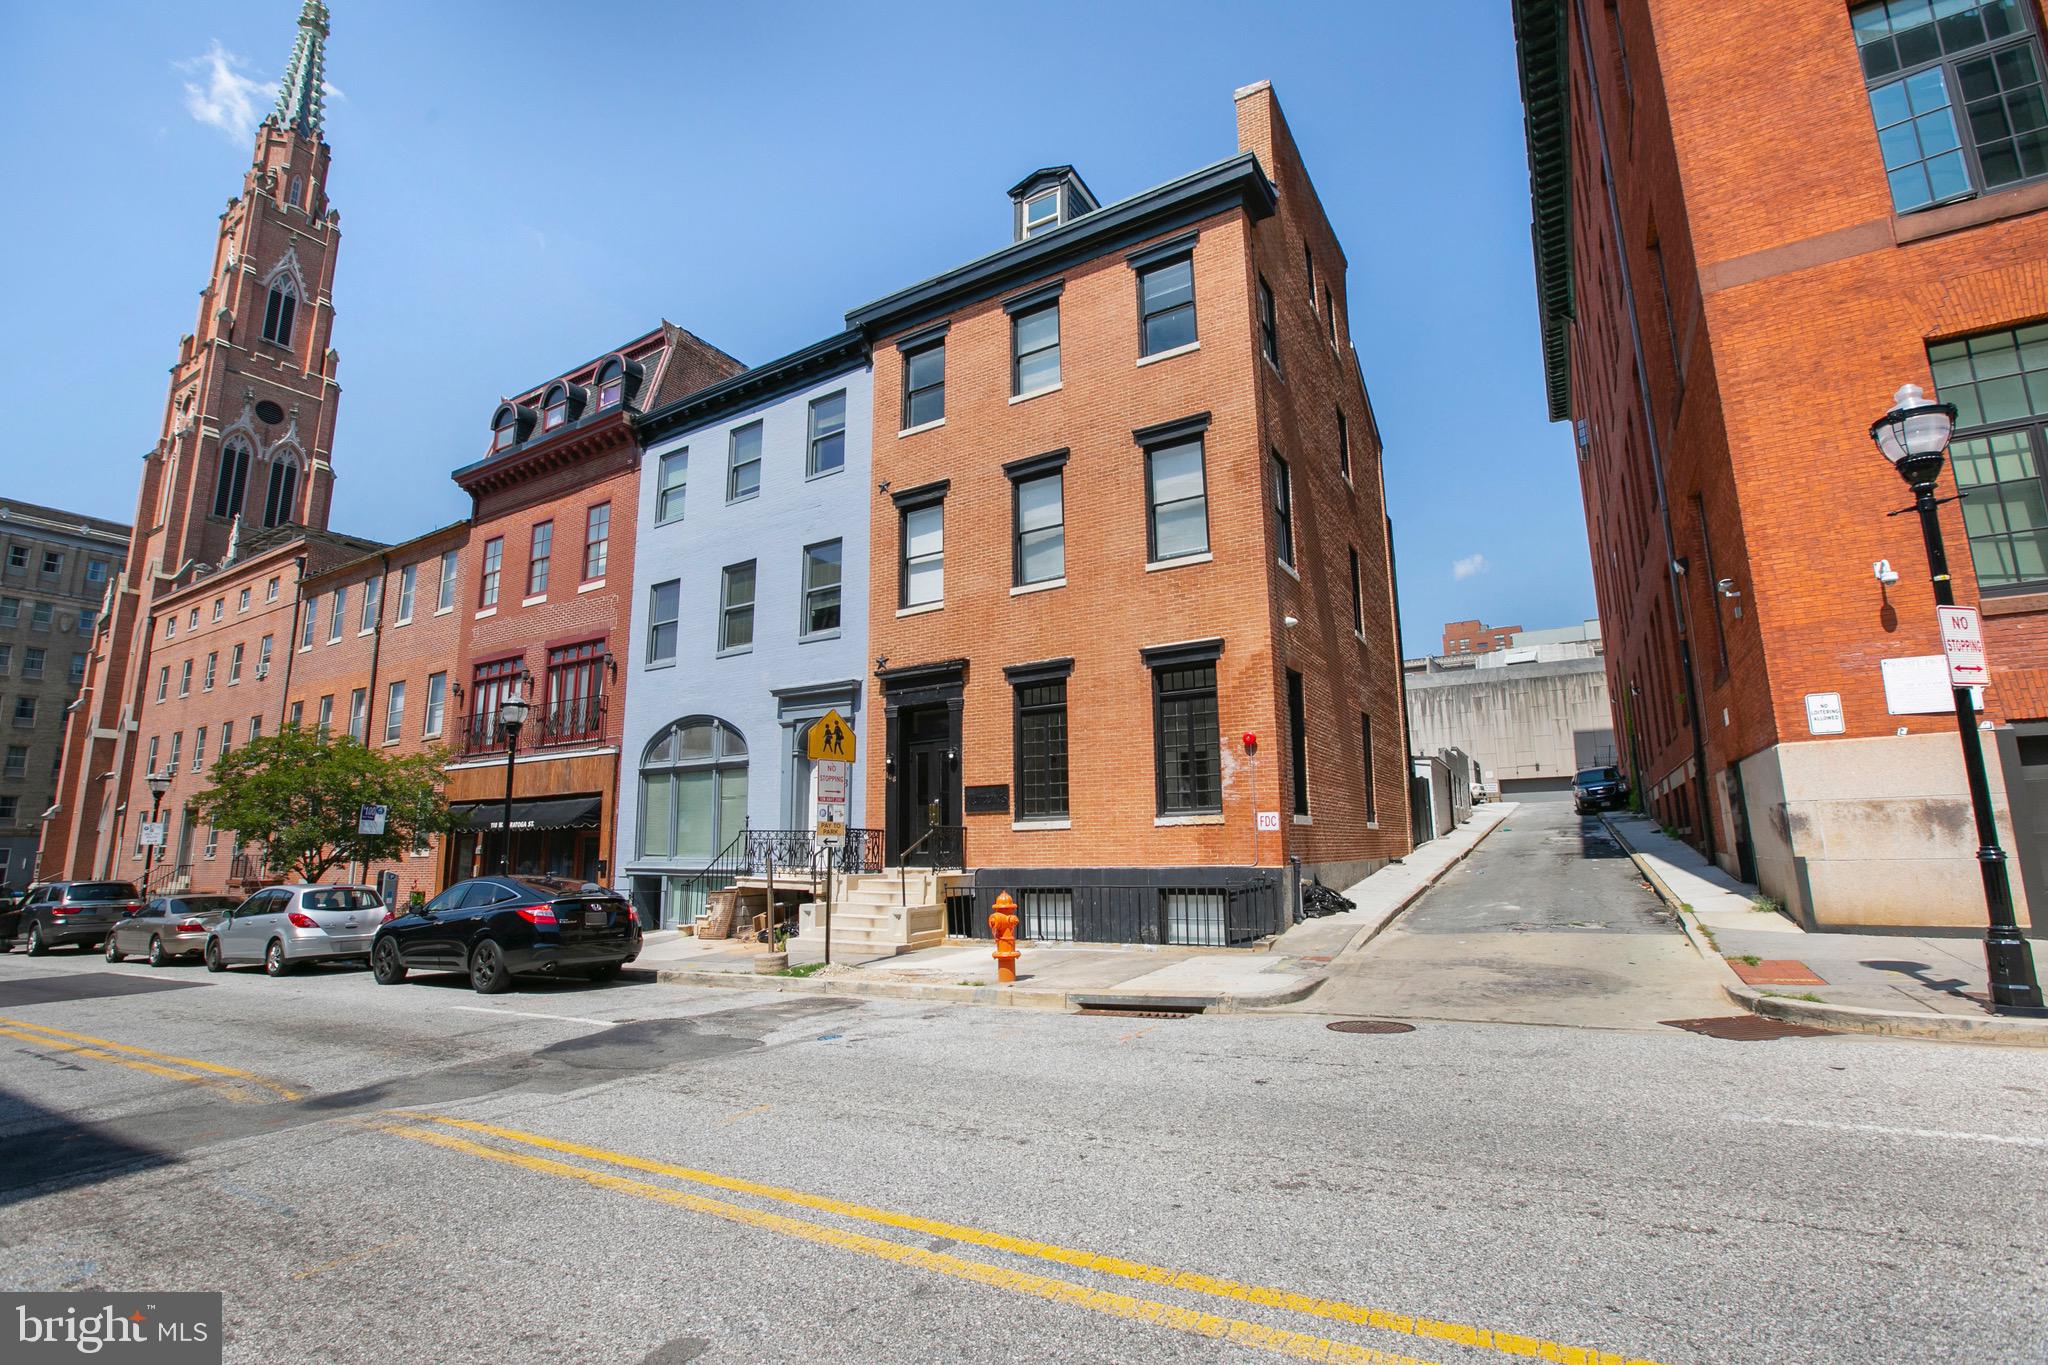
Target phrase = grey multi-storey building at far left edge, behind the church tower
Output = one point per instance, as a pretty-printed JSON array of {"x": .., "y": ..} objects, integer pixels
[{"x": 54, "y": 574}]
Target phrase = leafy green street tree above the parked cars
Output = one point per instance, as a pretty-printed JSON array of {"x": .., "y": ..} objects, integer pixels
[{"x": 300, "y": 793}]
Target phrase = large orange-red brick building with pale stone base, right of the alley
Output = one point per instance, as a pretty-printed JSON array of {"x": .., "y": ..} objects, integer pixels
[{"x": 1742, "y": 255}]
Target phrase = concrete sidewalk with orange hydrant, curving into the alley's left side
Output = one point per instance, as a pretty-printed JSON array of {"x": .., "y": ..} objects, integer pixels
[{"x": 1078, "y": 975}]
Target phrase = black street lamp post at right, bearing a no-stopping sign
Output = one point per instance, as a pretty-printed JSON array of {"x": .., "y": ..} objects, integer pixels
[{"x": 1914, "y": 437}]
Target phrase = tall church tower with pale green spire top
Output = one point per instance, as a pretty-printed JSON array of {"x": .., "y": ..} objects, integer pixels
[{"x": 247, "y": 439}]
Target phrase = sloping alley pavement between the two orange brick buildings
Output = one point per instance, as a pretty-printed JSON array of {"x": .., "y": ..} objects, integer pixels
[{"x": 1547, "y": 922}]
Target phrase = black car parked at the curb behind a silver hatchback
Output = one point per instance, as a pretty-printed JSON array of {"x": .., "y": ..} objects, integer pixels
[{"x": 499, "y": 928}]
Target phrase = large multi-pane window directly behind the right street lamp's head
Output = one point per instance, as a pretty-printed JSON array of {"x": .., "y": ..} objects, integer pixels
[{"x": 2000, "y": 388}]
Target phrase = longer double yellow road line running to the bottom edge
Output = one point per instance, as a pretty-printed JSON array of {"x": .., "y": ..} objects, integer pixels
[{"x": 523, "y": 1149}]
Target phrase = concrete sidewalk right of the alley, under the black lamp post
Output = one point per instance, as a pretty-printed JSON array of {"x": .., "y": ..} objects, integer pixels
[{"x": 1871, "y": 983}]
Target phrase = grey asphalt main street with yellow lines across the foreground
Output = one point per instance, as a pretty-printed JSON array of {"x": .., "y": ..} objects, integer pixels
[{"x": 656, "y": 1174}]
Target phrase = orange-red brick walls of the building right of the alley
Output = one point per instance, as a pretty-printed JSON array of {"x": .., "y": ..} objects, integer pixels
[{"x": 1781, "y": 302}]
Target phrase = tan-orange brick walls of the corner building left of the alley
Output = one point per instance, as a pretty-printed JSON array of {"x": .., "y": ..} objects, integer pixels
[{"x": 1111, "y": 607}]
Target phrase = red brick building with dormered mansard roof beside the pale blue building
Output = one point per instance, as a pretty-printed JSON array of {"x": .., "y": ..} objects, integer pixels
[{"x": 548, "y": 603}]
